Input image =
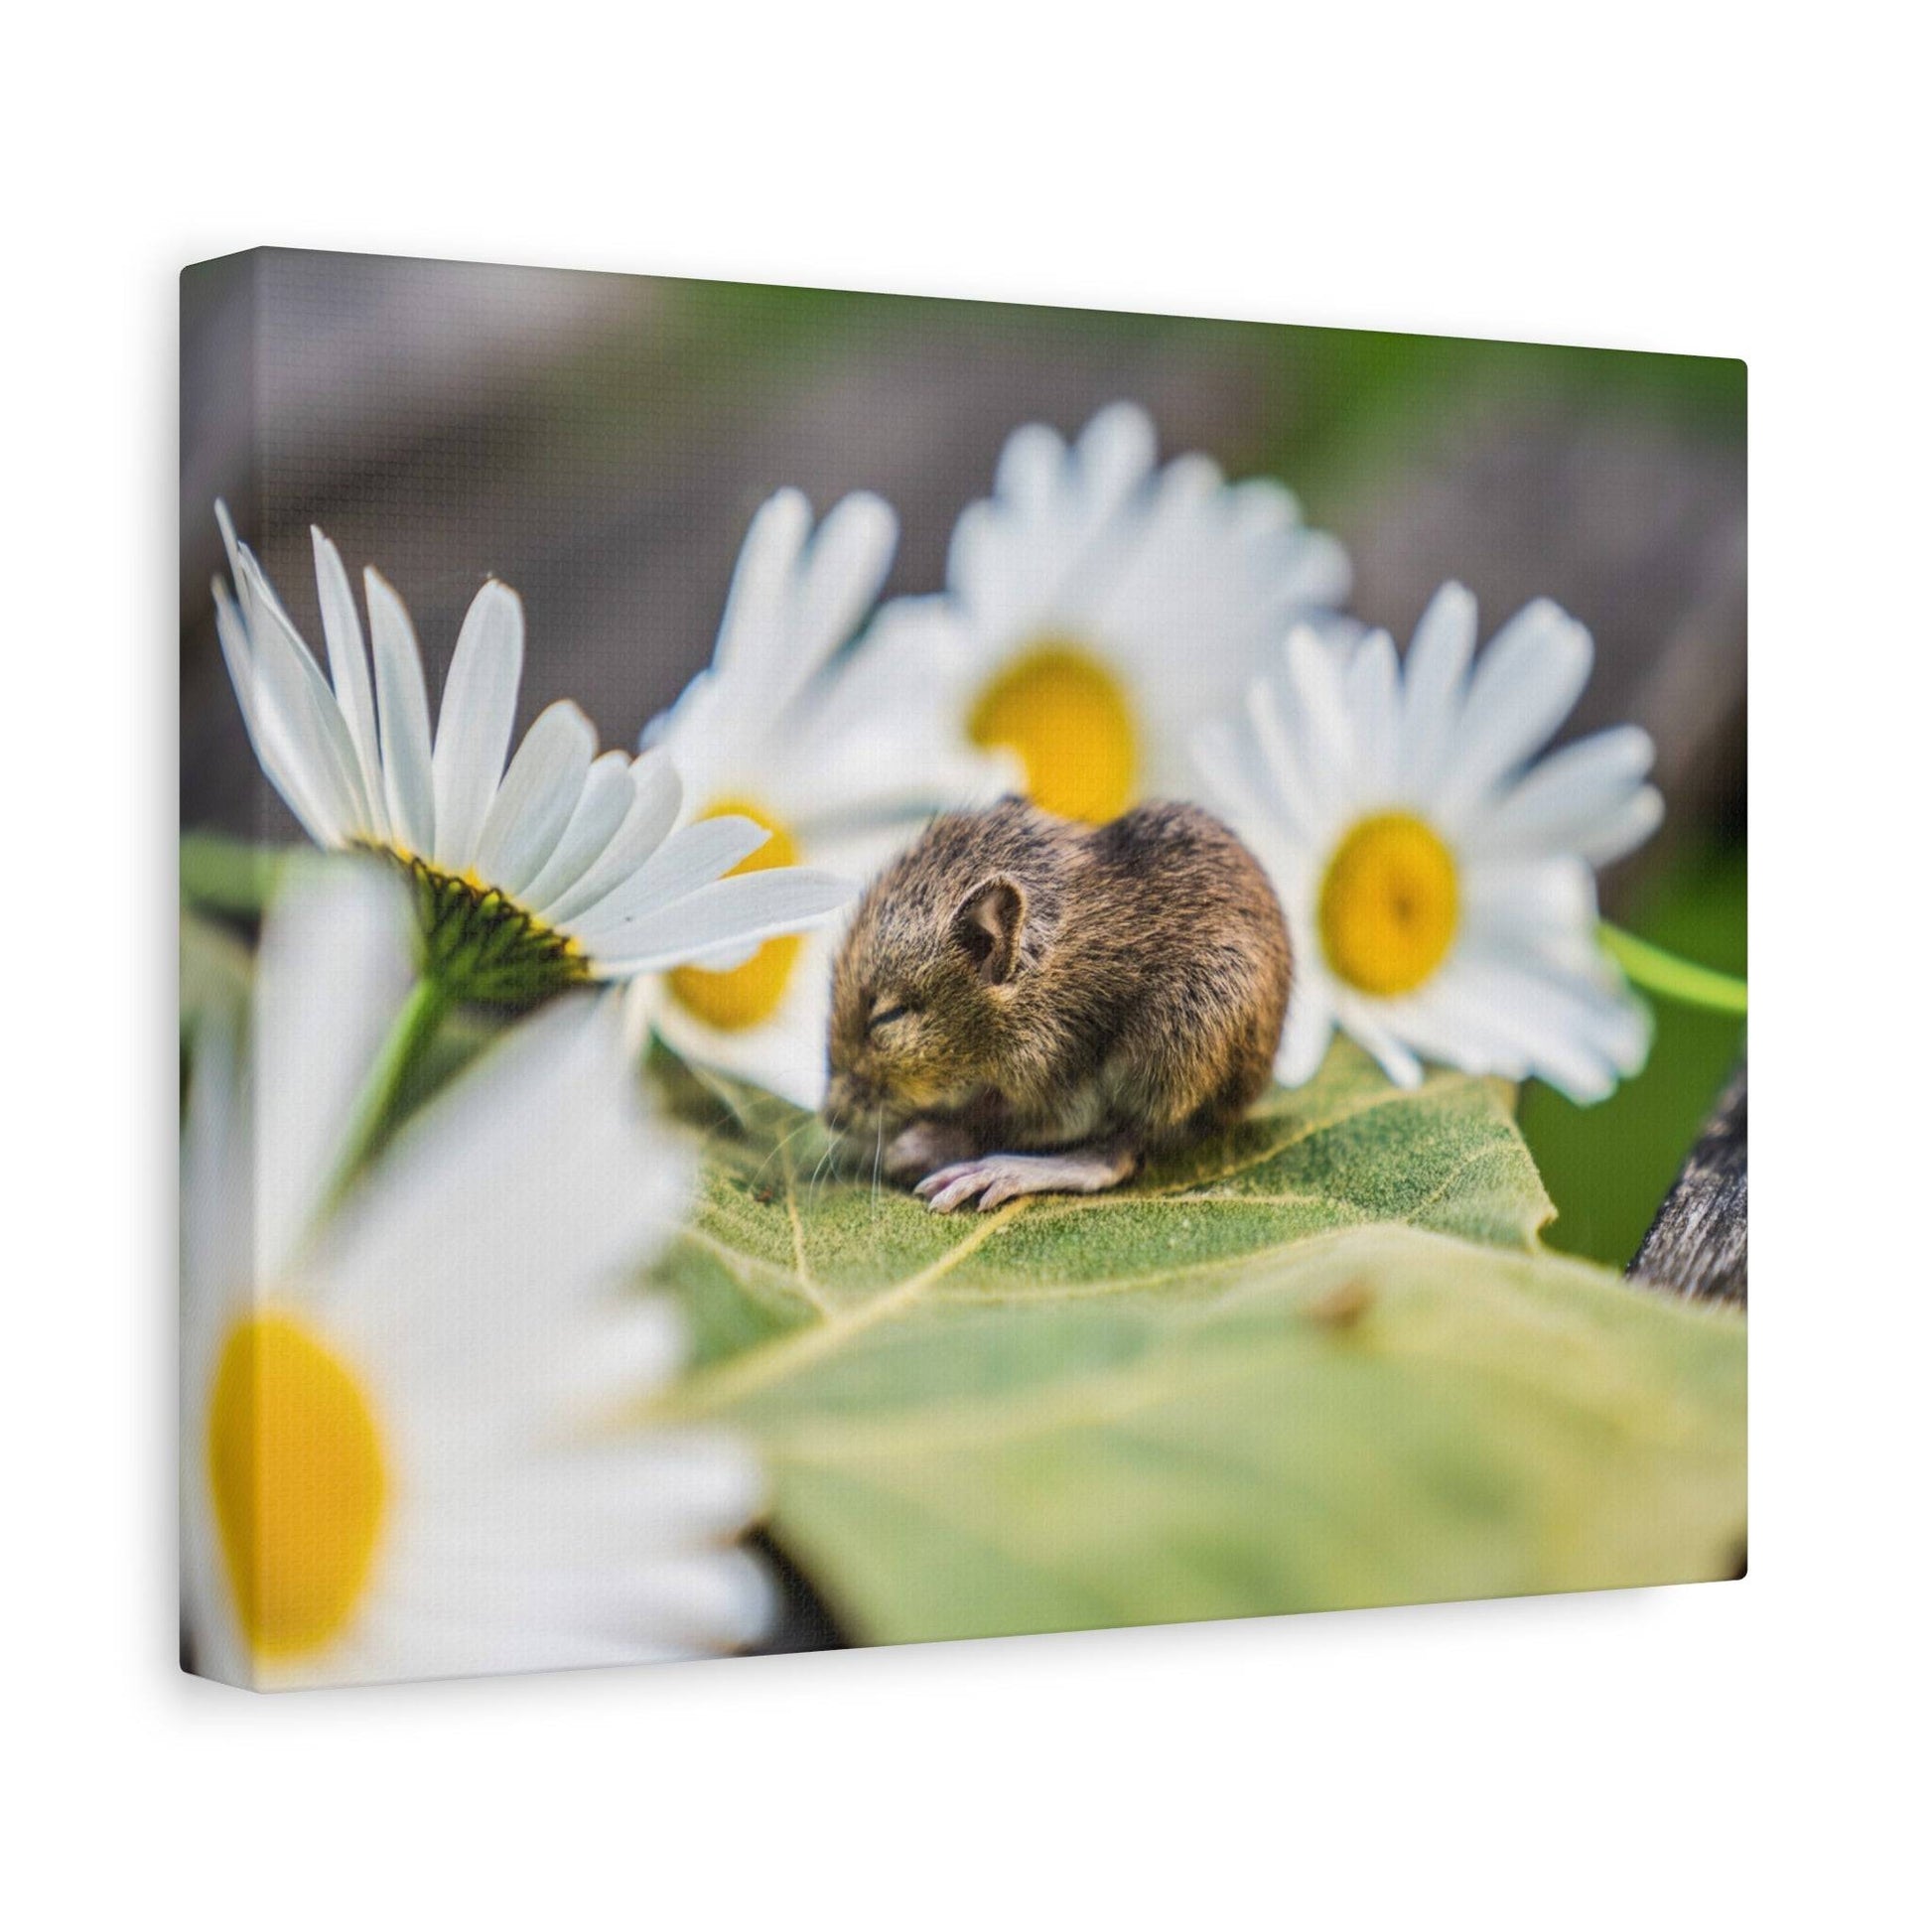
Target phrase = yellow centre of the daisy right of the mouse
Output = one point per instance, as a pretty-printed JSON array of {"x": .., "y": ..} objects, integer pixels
[{"x": 1390, "y": 905}]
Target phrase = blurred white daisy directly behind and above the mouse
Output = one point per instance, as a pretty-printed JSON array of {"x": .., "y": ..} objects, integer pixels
[{"x": 1098, "y": 610}]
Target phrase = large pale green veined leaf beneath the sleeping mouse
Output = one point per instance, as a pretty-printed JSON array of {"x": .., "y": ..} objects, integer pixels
[{"x": 1315, "y": 1365}]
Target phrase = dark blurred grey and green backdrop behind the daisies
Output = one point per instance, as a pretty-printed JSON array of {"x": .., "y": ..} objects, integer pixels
[{"x": 602, "y": 441}]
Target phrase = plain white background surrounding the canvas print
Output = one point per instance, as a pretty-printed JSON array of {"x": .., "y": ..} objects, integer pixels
[{"x": 1643, "y": 177}]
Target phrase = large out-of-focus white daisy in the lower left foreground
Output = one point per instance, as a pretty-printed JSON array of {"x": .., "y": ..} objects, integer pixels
[{"x": 399, "y": 1454}]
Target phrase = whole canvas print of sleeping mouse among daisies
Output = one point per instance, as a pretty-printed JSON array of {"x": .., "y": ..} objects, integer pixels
[{"x": 861, "y": 971}]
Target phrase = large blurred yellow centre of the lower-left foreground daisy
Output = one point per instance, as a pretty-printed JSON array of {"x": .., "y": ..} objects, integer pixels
[{"x": 298, "y": 1483}]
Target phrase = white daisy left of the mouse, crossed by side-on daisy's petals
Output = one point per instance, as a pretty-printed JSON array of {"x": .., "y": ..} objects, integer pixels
[{"x": 838, "y": 758}]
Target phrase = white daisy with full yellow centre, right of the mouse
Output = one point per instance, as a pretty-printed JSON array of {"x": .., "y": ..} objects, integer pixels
[{"x": 1438, "y": 884}]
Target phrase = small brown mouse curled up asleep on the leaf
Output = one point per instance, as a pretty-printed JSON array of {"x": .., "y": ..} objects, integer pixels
[{"x": 1033, "y": 1006}]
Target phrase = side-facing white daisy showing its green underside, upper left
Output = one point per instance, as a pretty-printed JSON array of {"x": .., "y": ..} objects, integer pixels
[{"x": 561, "y": 868}]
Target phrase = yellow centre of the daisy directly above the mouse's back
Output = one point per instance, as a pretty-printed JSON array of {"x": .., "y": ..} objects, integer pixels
[{"x": 1067, "y": 718}]
